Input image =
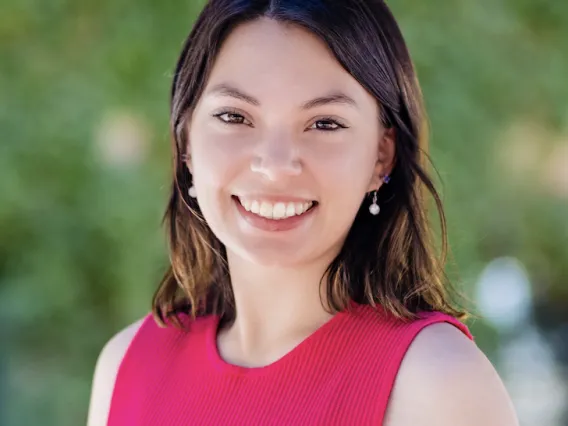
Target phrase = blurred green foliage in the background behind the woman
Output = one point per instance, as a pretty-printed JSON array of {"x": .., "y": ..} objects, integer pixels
[{"x": 84, "y": 167}]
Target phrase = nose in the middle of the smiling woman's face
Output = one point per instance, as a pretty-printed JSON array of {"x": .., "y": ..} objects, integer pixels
[{"x": 276, "y": 158}]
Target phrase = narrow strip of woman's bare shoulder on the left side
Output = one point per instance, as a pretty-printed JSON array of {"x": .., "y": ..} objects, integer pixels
[{"x": 106, "y": 370}]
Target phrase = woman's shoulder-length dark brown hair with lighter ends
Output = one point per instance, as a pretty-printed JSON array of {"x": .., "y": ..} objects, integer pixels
[{"x": 392, "y": 261}]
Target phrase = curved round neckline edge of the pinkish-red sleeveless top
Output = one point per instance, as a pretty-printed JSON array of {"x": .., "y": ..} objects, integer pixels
[{"x": 223, "y": 366}]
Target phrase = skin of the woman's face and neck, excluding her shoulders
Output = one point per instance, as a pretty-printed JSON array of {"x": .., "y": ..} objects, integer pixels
[{"x": 277, "y": 150}]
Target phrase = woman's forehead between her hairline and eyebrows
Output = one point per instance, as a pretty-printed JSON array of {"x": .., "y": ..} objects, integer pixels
[{"x": 285, "y": 60}]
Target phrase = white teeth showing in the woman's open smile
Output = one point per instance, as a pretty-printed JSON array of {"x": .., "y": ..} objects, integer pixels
[{"x": 276, "y": 210}]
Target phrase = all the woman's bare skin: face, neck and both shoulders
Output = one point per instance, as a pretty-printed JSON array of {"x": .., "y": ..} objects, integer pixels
[{"x": 265, "y": 75}]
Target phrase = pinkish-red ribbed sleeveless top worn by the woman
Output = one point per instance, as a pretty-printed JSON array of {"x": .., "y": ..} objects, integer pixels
[{"x": 342, "y": 374}]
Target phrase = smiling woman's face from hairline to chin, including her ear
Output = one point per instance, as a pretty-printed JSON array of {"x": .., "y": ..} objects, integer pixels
[{"x": 284, "y": 144}]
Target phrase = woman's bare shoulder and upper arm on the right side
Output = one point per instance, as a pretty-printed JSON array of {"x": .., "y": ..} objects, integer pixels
[{"x": 447, "y": 380}]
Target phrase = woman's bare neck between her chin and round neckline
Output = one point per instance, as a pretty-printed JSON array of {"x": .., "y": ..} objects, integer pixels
[{"x": 276, "y": 308}]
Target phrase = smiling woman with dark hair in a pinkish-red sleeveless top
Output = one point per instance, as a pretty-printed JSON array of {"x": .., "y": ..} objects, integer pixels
[{"x": 304, "y": 287}]
